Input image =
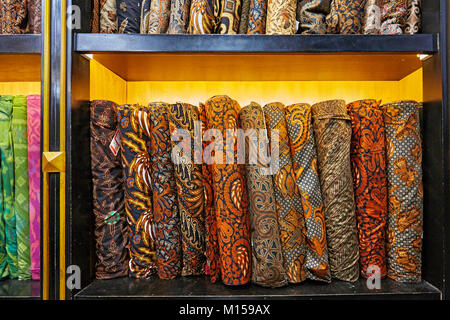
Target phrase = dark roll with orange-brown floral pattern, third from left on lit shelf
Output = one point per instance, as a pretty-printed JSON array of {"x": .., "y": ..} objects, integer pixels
[{"x": 165, "y": 205}]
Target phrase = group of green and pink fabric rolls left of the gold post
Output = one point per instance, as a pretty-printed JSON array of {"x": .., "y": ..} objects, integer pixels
[{"x": 20, "y": 166}]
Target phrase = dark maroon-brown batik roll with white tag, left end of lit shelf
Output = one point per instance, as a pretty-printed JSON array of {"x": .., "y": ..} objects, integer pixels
[{"x": 111, "y": 229}]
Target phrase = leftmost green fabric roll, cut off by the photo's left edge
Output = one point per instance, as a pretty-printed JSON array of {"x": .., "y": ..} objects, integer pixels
[{"x": 8, "y": 239}]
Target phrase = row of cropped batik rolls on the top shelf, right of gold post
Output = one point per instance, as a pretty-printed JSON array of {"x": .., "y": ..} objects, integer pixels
[{"x": 257, "y": 16}]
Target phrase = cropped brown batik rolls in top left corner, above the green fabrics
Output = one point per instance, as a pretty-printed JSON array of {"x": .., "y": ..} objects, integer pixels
[{"x": 20, "y": 16}]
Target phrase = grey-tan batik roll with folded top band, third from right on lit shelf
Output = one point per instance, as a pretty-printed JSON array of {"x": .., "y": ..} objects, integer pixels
[{"x": 332, "y": 129}]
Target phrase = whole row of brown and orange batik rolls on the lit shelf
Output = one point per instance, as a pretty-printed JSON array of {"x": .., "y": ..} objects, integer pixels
[{"x": 273, "y": 195}]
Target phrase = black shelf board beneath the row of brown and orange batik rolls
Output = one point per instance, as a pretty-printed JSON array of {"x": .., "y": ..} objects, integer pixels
[{"x": 201, "y": 288}]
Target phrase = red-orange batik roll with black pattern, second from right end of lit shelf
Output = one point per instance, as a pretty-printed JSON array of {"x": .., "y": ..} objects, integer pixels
[{"x": 368, "y": 158}]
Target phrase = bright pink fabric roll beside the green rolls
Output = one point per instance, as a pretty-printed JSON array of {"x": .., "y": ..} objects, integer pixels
[{"x": 34, "y": 174}]
